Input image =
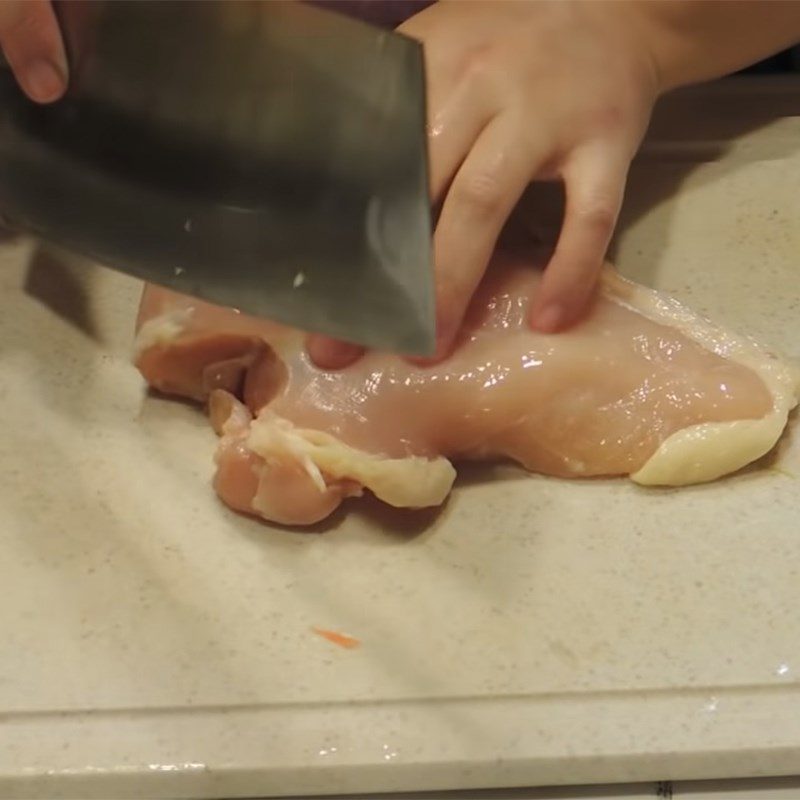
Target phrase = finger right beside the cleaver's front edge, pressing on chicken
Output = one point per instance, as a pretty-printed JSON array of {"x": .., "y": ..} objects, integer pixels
[{"x": 482, "y": 195}]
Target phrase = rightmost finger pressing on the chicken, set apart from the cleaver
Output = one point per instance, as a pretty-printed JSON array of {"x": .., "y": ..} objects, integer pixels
[{"x": 595, "y": 184}]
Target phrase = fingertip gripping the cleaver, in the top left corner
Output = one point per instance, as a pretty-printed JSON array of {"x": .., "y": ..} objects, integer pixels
[{"x": 32, "y": 44}]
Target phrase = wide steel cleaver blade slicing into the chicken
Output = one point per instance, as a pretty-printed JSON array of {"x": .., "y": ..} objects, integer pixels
[{"x": 269, "y": 156}]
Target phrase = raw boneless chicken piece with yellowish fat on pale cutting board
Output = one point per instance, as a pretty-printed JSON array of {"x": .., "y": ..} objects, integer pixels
[{"x": 642, "y": 387}]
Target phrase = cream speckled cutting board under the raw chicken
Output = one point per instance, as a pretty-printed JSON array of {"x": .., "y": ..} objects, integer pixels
[{"x": 534, "y": 632}]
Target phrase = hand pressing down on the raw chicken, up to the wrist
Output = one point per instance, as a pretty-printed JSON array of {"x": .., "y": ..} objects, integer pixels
[{"x": 520, "y": 91}]
